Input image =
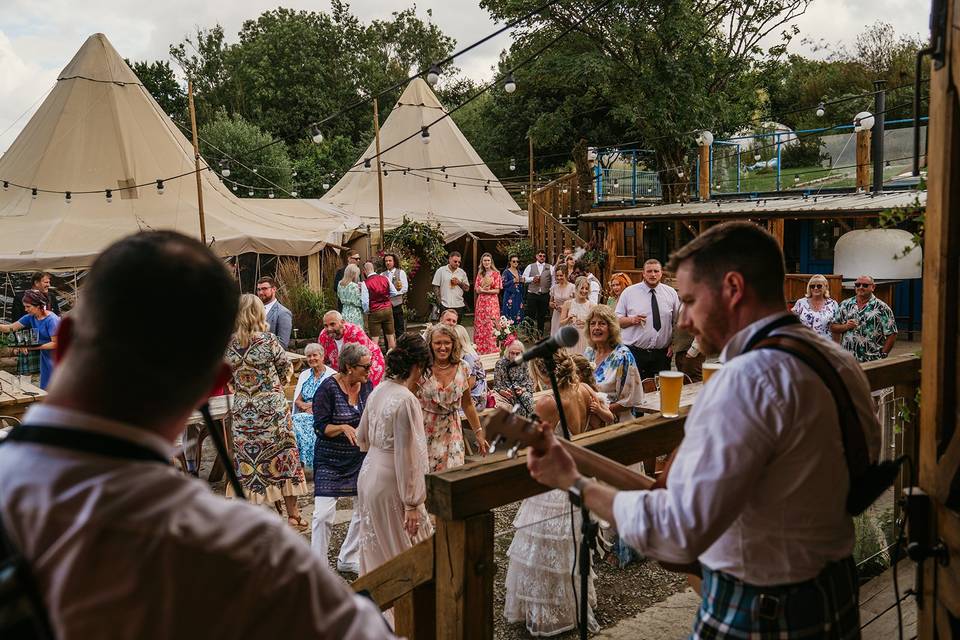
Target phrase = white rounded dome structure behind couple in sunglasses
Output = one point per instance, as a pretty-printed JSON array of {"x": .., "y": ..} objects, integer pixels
[{"x": 878, "y": 253}]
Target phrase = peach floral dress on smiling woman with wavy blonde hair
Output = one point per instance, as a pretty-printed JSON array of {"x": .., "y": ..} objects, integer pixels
[{"x": 441, "y": 419}]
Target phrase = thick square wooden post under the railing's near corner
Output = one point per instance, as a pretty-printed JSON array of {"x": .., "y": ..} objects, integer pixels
[{"x": 465, "y": 570}]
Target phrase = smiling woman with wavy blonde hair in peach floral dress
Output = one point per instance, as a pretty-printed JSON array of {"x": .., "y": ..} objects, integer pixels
[{"x": 444, "y": 390}]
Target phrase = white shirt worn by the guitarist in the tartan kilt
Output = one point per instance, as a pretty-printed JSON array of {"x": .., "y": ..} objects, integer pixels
[{"x": 759, "y": 485}]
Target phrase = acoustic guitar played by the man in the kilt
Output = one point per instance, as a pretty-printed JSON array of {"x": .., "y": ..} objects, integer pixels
[{"x": 503, "y": 426}]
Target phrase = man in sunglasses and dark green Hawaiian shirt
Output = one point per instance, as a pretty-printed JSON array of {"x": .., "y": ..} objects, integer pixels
[{"x": 865, "y": 324}]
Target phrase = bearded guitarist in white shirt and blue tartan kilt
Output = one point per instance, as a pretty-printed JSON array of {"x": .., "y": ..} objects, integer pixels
[{"x": 758, "y": 488}]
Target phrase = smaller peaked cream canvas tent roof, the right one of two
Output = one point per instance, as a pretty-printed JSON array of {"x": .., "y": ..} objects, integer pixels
[{"x": 459, "y": 203}]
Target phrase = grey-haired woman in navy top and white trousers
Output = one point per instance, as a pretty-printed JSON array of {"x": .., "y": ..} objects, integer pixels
[{"x": 337, "y": 408}]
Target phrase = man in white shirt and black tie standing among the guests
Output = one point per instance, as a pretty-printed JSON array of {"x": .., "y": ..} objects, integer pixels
[{"x": 647, "y": 312}]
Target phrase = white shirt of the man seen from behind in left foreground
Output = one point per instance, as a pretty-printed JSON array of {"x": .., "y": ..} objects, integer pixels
[{"x": 131, "y": 549}]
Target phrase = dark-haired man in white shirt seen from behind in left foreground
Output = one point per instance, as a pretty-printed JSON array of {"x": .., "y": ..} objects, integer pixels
[{"x": 118, "y": 542}]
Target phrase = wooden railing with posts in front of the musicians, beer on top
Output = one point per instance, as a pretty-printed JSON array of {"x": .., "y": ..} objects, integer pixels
[{"x": 443, "y": 587}]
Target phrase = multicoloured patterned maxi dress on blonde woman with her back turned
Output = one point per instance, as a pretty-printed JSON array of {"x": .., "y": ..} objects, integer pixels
[{"x": 265, "y": 448}]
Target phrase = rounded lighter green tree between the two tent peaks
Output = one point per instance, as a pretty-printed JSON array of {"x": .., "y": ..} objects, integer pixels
[{"x": 268, "y": 169}]
